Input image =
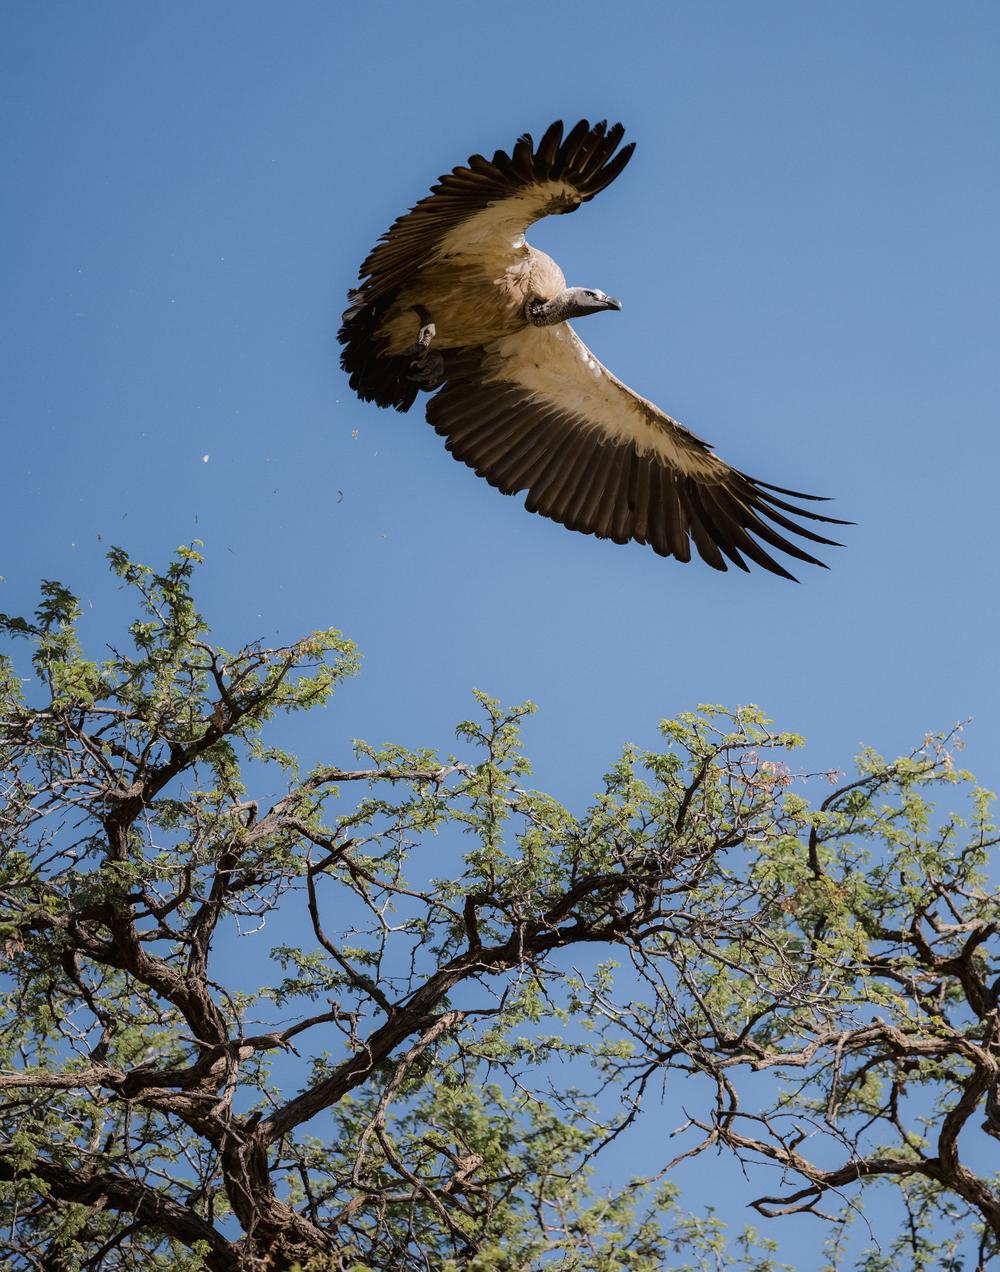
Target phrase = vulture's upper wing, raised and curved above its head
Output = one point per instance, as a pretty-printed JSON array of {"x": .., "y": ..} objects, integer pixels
[{"x": 487, "y": 204}]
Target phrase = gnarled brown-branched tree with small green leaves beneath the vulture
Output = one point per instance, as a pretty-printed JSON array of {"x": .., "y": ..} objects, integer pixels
[{"x": 471, "y": 990}]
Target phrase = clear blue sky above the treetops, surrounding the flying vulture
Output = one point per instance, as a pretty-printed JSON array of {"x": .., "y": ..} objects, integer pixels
[{"x": 807, "y": 249}]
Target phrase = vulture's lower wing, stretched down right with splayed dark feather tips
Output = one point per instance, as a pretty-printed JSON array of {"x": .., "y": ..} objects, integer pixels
[{"x": 536, "y": 411}]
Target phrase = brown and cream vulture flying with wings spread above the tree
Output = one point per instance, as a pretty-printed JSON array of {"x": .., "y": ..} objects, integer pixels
[{"x": 452, "y": 301}]
